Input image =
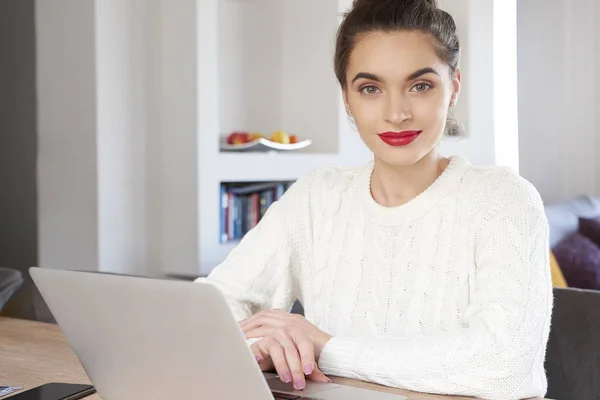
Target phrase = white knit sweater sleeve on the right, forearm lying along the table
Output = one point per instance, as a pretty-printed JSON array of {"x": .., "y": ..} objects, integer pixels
[{"x": 498, "y": 350}]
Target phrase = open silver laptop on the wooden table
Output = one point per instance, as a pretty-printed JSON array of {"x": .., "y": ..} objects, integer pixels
[{"x": 150, "y": 338}]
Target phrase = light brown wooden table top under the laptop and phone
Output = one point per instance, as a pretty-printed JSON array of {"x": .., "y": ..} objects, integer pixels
[{"x": 34, "y": 353}]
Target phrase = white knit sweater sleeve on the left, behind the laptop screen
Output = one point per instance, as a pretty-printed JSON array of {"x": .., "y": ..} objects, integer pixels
[{"x": 261, "y": 272}]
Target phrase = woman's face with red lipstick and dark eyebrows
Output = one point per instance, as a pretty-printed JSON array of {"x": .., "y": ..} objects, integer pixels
[{"x": 399, "y": 93}]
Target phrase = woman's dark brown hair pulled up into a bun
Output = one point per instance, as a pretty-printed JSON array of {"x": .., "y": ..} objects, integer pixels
[{"x": 398, "y": 15}]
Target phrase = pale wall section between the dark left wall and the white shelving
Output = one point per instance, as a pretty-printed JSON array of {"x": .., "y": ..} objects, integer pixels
[{"x": 118, "y": 133}]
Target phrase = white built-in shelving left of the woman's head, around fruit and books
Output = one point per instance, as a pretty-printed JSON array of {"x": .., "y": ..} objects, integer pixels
[{"x": 264, "y": 66}]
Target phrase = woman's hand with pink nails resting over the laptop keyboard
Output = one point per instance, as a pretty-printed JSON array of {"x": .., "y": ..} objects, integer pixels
[{"x": 289, "y": 343}]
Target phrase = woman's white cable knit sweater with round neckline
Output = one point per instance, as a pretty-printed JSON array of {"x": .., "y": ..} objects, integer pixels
[{"x": 450, "y": 293}]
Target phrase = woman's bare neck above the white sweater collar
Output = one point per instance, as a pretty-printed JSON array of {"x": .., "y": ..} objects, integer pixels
[{"x": 392, "y": 186}]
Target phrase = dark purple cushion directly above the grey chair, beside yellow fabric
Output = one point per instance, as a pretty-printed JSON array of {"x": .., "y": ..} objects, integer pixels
[{"x": 579, "y": 260}]
